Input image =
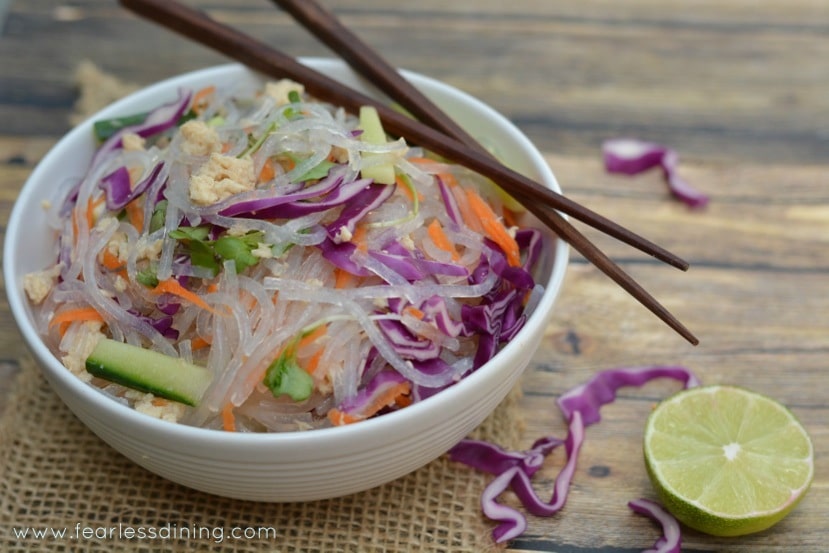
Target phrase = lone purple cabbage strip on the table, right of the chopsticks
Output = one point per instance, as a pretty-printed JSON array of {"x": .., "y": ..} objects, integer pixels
[{"x": 630, "y": 157}]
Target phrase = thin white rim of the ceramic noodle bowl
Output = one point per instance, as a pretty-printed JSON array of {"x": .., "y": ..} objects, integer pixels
[{"x": 53, "y": 368}]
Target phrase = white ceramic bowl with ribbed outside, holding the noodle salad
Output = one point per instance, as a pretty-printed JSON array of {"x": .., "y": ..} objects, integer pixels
[{"x": 295, "y": 466}]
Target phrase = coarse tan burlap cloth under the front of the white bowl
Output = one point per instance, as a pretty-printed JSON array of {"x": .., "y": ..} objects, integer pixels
[{"x": 55, "y": 474}]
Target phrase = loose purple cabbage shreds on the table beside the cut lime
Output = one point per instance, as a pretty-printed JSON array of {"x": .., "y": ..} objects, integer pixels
[{"x": 514, "y": 470}]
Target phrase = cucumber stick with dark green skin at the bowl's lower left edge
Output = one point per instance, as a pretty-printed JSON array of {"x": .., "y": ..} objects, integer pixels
[{"x": 148, "y": 371}]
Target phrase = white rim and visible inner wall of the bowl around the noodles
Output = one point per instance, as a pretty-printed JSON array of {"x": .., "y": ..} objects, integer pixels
[{"x": 30, "y": 246}]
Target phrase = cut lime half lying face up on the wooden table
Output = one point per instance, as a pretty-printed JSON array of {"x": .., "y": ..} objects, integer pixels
[{"x": 727, "y": 461}]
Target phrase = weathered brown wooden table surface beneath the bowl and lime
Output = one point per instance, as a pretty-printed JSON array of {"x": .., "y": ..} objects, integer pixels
[{"x": 739, "y": 88}]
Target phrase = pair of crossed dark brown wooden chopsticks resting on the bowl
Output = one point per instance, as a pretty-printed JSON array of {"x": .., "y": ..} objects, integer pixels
[{"x": 432, "y": 130}]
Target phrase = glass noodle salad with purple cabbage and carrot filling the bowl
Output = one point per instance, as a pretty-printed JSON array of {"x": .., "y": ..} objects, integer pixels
[{"x": 255, "y": 260}]
